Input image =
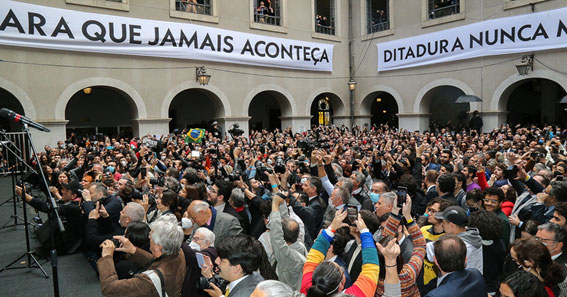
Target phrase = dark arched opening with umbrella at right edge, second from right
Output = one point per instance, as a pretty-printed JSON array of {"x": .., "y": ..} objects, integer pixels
[{"x": 440, "y": 103}]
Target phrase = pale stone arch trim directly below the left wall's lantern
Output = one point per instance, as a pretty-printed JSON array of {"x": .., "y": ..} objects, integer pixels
[{"x": 221, "y": 103}]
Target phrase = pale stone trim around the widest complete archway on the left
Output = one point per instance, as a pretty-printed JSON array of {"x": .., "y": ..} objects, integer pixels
[{"x": 130, "y": 93}]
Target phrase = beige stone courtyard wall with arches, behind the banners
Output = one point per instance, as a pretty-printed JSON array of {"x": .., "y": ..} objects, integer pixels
[{"x": 45, "y": 90}]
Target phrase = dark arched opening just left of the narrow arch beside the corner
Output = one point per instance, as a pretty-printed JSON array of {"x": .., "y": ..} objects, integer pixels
[{"x": 266, "y": 110}]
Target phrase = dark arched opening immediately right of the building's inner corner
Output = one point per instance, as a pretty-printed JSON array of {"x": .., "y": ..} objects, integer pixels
[{"x": 383, "y": 109}]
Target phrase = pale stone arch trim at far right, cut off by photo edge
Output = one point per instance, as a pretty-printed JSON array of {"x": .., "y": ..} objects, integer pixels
[{"x": 501, "y": 94}]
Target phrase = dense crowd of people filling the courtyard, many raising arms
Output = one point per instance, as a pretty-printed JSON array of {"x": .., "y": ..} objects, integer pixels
[{"x": 330, "y": 212}]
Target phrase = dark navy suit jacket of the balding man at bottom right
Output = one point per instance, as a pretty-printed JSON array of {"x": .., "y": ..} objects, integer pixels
[{"x": 466, "y": 283}]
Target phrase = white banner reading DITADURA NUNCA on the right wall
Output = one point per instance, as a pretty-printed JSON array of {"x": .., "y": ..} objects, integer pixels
[{"x": 519, "y": 34}]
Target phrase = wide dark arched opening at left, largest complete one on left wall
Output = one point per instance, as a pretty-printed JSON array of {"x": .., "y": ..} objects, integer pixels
[{"x": 100, "y": 110}]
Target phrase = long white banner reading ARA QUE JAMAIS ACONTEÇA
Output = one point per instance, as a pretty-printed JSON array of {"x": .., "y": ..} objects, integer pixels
[{"x": 37, "y": 26}]
